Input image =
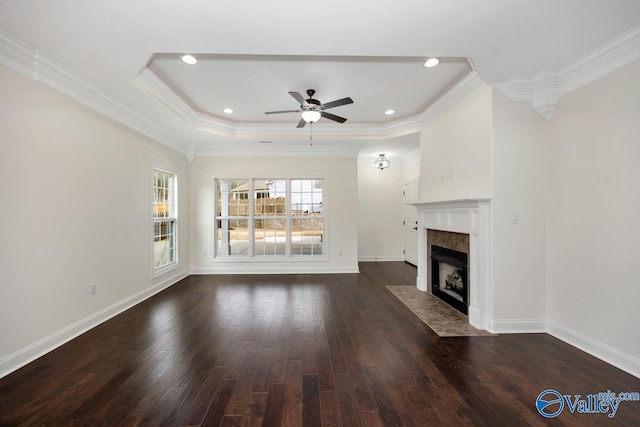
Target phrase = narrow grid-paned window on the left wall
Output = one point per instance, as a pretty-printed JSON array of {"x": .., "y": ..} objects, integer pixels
[{"x": 164, "y": 219}]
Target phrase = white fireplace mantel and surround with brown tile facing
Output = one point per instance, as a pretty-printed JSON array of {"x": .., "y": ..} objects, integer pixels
[{"x": 440, "y": 224}]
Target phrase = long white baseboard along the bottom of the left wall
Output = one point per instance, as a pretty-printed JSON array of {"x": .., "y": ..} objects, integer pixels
[{"x": 28, "y": 354}]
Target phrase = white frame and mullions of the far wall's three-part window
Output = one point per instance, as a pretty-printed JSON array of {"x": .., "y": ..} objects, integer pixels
[{"x": 251, "y": 255}]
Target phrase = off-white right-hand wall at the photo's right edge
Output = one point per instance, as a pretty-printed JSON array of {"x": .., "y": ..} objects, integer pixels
[{"x": 594, "y": 210}]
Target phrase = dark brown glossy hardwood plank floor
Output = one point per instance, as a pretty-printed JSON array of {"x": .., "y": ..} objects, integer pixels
[{"x": 300, "y": 350}]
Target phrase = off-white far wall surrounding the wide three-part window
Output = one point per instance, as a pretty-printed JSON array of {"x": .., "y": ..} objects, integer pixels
[{"x": 340, "y": 201}]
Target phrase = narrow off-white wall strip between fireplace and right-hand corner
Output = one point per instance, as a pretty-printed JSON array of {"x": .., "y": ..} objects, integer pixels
[{"x": 519, "y": 159}]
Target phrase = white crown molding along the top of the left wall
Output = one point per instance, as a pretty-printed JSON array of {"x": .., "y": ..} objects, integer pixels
[{"x": 34, "y": 65}]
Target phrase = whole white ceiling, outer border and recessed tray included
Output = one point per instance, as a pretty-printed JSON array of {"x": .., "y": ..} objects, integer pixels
[{"x": 253, "y": 52}]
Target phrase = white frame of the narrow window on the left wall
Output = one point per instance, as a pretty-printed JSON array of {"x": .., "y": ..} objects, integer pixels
[{"x": 171, "y": 219}]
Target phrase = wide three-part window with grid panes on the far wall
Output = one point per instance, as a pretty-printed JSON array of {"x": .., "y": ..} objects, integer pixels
[{"x": 265, "y": 217}]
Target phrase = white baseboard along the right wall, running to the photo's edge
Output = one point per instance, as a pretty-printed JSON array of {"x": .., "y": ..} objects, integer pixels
[{"x": 624, "y": 361}]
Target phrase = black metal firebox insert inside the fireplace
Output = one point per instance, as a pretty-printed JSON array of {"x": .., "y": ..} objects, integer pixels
[{"x": 449, "y": 278}]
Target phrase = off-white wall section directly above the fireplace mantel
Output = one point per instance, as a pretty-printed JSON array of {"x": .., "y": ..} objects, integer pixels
[{"x": 455, "y": 150}]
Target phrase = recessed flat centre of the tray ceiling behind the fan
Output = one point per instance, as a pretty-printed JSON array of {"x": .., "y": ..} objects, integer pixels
[{"x": 253, "y": 84}]
